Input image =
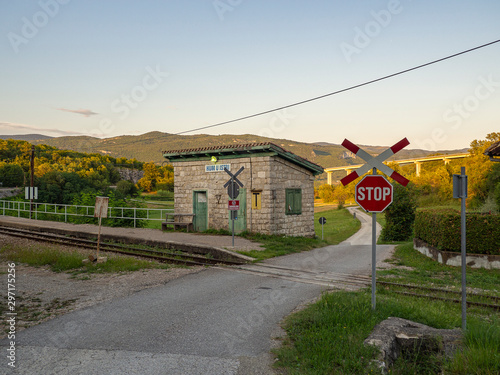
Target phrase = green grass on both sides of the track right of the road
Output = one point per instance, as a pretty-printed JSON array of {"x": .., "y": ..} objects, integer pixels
[{"x": 327, "y": 337}]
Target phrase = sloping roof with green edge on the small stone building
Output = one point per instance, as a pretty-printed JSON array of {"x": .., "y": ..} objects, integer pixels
[{"x": 241, "y": 151}]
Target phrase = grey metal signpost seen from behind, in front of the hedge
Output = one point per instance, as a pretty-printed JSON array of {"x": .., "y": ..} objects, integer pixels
[{"x": 460, "y": 191}]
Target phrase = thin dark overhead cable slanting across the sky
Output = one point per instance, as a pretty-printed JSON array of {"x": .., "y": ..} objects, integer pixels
[{"x": 342, "y": 90}]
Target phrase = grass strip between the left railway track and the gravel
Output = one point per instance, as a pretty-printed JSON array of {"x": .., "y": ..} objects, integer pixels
[{"x": 65, "y": 261}]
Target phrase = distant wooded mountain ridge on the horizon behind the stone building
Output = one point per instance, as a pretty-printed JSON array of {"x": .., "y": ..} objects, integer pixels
[{"x": 148, "y": 147}]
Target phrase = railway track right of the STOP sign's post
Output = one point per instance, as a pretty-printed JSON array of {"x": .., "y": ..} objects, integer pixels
[{"x": 437, "y": 294}]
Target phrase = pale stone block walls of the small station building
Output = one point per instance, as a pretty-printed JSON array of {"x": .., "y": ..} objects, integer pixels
[{"x": 270, "y": 175}]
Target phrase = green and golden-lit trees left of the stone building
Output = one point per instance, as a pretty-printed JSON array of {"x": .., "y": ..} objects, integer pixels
[{"x": 67, "y": 177}]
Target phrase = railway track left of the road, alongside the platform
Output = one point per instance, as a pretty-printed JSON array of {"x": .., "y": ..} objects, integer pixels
[{"x": 166, "y": 256}]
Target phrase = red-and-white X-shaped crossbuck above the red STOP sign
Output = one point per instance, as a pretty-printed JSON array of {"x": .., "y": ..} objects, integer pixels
[{"x": 375, "y": 162}]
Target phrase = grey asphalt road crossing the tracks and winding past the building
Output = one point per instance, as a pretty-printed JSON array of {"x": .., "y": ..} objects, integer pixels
[{"x": 217, "y": 321}]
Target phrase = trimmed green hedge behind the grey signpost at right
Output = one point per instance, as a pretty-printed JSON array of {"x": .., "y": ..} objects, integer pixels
[{"x": 441, "y": 229}]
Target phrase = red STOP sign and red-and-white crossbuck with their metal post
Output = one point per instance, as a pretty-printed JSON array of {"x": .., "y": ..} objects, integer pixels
[{"x": 374, "y": 193}]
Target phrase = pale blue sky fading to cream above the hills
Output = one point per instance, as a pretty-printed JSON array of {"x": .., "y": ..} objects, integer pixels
[{"x": 109, "y": 68}]
